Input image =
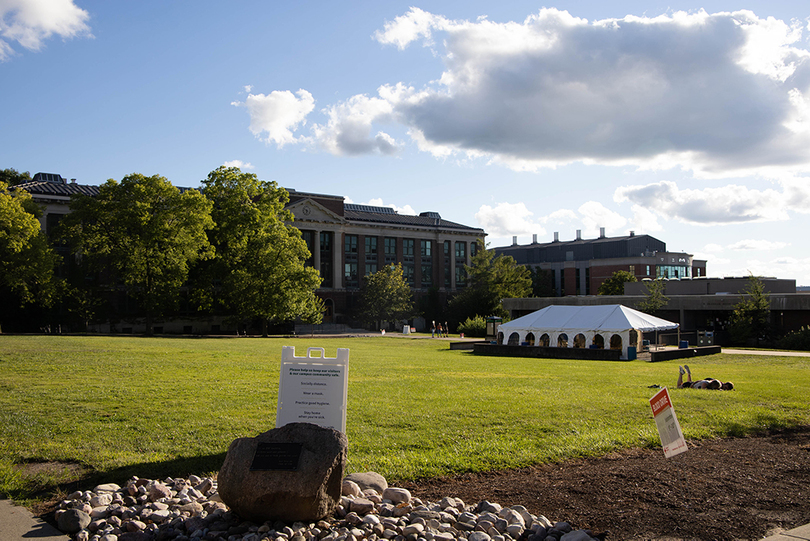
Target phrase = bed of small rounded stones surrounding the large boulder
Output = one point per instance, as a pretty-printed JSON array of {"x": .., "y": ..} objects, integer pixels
[{"x": 356, "y": 518}]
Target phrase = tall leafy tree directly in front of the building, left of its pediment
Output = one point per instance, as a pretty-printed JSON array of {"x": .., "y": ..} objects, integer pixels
[{"x": 260, "y": 255}]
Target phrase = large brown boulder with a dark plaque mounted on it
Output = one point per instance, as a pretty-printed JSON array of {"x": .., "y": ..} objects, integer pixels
[{"x": 307, "y": 493}]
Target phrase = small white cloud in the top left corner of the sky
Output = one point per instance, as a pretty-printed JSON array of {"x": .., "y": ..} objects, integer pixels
[{"x": 31, "y": 22}]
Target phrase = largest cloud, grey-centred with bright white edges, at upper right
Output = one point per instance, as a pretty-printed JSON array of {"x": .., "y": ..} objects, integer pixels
[{"x": 719, "y": 94}]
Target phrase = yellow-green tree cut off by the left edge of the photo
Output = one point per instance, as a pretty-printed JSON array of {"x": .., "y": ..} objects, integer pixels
[{"x": 27, "y": 260}]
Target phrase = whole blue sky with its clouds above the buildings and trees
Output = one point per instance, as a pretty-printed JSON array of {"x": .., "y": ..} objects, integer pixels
[{"x": 687, "y": 121}]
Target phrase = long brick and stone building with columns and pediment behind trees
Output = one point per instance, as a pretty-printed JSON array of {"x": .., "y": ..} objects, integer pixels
[{"x": 346, "y": 241}]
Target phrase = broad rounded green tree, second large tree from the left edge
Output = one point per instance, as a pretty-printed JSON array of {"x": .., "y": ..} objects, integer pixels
[{"x": 145, "y": 233}]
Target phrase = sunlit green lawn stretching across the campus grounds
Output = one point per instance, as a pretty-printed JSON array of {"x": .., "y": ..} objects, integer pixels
[{"x": 122, "y": 406}]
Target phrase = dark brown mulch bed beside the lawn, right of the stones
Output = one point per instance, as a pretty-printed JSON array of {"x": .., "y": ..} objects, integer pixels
[{"x": 739, "y": 488}]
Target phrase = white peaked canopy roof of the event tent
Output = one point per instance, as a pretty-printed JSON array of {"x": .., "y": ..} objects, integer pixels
[{"x": 604, "y": 318}]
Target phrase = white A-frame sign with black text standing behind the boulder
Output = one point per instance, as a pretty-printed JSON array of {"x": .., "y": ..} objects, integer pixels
[{"x": 313, "y": 389}]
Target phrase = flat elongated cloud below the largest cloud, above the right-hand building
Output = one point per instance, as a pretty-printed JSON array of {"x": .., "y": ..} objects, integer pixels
[{"x": 724, "y": 205}]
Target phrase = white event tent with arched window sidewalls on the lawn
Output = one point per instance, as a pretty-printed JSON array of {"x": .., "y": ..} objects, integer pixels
[{"x": 609, "y": 325}]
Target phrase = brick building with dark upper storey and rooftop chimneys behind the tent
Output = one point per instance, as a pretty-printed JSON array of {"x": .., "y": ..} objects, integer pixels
[{"x": 580, "y": 266}]
